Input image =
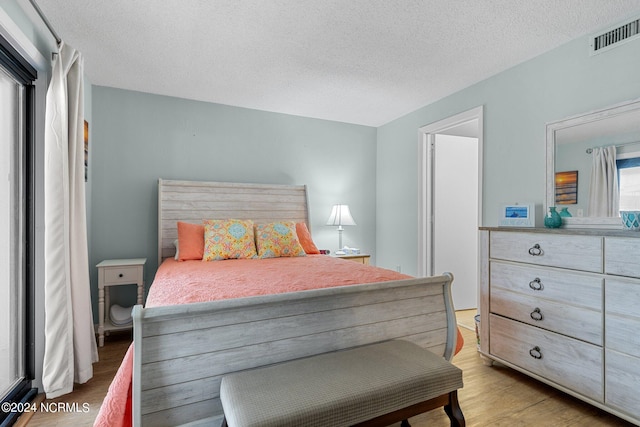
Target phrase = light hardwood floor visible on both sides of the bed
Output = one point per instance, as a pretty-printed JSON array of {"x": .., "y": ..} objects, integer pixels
[{"x": 492, "y": 396}]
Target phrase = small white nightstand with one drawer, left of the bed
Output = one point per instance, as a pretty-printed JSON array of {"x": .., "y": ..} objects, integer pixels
[{"x": 116, "y": 272}]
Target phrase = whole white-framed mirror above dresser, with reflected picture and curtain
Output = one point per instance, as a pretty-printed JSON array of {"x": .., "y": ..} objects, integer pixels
[{"x": 571, "y": 146}]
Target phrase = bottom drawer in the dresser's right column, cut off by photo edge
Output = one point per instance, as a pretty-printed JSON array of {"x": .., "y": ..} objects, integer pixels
[{"x": 623, "y": 382}]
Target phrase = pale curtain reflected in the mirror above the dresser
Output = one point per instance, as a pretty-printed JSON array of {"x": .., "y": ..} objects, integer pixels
[{"x": 603, "y": 190}]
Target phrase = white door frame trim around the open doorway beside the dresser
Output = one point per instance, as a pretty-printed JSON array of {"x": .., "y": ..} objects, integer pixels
[{"x": 426, "y": 182}]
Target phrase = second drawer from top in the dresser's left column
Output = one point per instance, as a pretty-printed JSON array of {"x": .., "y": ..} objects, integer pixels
[{"x": 563, "y": 286}]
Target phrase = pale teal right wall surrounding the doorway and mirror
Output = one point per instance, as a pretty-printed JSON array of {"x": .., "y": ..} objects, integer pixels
[{"x": 518, "y": 104}]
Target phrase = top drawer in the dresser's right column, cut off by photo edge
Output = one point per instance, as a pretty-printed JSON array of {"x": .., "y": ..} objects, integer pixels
[{"x": 622, "y": 256}]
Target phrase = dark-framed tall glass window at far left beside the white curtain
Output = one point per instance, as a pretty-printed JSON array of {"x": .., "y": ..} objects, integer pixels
[{"x": 16, "y": 228}]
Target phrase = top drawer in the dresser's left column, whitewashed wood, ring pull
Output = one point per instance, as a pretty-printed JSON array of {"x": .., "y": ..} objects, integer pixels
[{"x": 565, "y": 251}]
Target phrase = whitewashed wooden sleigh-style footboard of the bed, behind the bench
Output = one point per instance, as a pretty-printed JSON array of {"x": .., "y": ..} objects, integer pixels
[{"x": 181, "y": 352}]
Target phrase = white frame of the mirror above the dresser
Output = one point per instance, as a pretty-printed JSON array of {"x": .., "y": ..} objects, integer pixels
[{"x": 552, "y": 128}]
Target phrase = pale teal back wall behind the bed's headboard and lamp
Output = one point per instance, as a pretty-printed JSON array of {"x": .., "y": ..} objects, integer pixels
[{"x": 138, "y": 138}]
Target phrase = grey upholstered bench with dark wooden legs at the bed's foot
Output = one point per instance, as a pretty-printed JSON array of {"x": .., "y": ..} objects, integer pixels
[{"x": 372, "y": 385}]
